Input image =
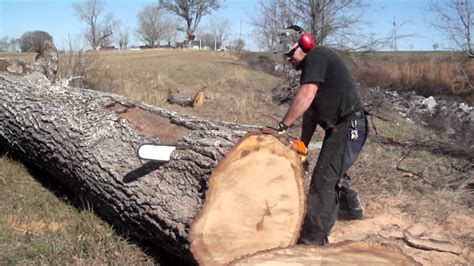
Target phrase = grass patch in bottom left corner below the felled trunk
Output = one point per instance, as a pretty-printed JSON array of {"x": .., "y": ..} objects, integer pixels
[{"x": 39, "y": 225}]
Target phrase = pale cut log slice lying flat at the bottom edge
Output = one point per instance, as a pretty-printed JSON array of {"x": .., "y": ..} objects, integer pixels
[{"x": 346, "y": 253}]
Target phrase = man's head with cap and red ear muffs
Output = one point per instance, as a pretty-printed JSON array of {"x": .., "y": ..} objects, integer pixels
[{"x": 294, "y": 44}]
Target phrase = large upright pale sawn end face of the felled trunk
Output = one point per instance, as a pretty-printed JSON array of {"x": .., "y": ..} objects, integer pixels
[{"x": 255, "y": 201}]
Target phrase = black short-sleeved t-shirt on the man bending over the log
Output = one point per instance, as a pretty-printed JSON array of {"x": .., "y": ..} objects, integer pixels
[{"x": 337, "y": 95}]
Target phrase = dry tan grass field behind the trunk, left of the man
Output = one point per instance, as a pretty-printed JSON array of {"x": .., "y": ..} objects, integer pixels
[{"x": 234, "y": 92}]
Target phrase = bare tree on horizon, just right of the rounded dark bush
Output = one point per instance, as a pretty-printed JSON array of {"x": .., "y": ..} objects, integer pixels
[{"x": 97, "y": 32}]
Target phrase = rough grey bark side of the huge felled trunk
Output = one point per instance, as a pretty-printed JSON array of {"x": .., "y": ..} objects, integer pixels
[{"x": 87, "y": 140}]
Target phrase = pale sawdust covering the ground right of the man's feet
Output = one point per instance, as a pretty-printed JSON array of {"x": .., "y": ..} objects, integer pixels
[{"x": 427, "y": 243}]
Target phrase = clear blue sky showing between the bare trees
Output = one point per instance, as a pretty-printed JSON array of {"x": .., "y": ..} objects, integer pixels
[{"x": 57, "y": 18}]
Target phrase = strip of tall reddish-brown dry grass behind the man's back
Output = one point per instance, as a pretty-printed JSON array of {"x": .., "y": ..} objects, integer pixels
[{"x": 426, "y": 73}]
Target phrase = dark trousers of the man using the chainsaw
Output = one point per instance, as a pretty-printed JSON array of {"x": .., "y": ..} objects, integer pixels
[{"x": 337, "y": 155}]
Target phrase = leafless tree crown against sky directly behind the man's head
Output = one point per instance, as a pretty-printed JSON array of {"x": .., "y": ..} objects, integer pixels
[{"x": 331, "y": 22}]
